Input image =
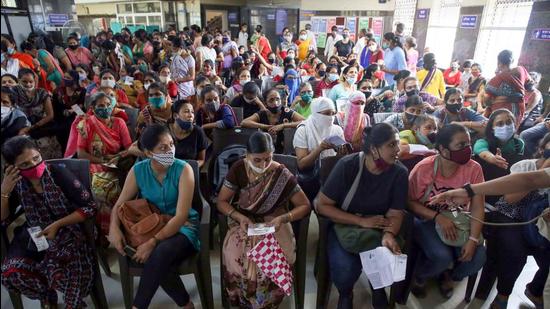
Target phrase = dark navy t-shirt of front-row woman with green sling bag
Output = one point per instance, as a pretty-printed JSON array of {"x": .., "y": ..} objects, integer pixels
[{"x": 375, "y": 194}]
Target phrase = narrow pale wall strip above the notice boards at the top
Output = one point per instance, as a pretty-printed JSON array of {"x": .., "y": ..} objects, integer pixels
[{"x": 347, "y": 5}]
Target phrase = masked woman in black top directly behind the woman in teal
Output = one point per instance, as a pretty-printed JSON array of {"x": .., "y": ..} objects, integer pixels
[{"x": 190, "y": 140}]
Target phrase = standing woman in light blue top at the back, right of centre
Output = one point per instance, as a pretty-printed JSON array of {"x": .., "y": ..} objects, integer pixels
[{"x": 395, "y": 58}]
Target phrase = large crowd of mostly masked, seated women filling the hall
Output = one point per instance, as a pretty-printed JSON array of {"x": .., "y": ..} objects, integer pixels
[{"x": 138, "y": 112}]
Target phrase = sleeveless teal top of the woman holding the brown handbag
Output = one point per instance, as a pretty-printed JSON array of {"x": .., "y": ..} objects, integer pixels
[{"x": 165, "y": 195}]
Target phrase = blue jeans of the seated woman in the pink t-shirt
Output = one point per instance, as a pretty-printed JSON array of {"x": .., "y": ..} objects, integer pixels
[{"x": 437, "y": 256}]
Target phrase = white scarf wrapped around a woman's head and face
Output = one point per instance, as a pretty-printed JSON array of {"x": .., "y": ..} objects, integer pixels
[{"x": 319, "y": 126}]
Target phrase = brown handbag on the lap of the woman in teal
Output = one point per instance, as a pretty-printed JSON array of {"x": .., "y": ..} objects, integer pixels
[{"x": 141, "y": 221}]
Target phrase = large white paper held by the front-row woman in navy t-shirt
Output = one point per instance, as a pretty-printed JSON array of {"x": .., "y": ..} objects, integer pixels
[{"x": 382, "y": 267}]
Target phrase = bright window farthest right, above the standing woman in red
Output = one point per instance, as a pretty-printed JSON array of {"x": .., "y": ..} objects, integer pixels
[{"x": 503, "y": 21}]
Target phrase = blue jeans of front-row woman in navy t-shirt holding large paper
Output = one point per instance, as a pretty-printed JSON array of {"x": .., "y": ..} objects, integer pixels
[{"x": 345, "y": 269}]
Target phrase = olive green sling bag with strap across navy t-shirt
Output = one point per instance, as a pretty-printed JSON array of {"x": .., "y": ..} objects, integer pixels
[{"x": 356, "y": 239}]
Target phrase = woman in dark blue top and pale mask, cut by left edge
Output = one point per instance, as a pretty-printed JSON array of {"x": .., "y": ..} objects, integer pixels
[{"x": 13, "y": 119}]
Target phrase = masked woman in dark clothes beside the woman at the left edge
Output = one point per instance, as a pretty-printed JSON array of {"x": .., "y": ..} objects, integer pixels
[{"x": 37, "y": 105}]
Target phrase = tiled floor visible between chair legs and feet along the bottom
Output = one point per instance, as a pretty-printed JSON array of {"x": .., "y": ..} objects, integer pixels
[{"x": 361, "y": 299}]
